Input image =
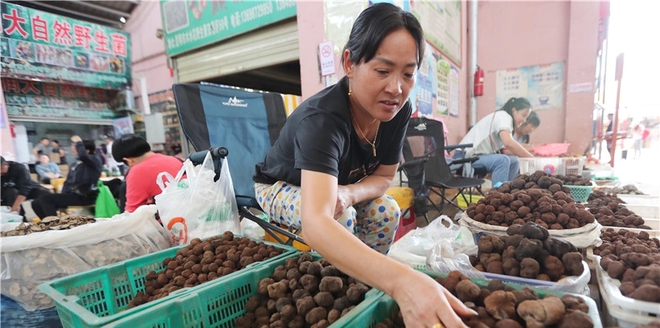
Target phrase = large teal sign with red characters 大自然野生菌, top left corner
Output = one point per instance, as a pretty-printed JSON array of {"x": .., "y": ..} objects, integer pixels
[{"x": 48, "y": 47}]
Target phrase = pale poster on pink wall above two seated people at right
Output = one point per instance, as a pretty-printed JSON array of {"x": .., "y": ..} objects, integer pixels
[{"x": 542, "y": 85}]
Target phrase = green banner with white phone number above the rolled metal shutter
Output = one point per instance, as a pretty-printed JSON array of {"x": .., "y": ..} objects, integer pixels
[{"x": 193, "y": 24}]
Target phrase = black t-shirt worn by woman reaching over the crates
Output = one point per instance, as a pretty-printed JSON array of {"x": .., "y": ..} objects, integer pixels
[{"x": 319, "y": 137}]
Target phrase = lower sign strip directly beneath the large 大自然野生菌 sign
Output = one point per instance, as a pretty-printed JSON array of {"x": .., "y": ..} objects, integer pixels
[{"x": 36, "y": 99}]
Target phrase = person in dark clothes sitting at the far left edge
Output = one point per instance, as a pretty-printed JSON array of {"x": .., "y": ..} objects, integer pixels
[{"x": 17, "y": 186}]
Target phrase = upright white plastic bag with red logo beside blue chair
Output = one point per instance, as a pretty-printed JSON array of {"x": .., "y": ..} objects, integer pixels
[{"x": 196, "y": 206}]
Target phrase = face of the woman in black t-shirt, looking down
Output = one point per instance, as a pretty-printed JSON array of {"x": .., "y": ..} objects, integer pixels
[{"x": 381, "y": 86}]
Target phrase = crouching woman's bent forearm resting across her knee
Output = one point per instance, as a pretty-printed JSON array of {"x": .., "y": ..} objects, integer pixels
[{"x": 371, "y": 187}]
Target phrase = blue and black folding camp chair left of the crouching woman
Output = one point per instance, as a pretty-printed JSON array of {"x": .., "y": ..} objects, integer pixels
[{"x": 242, "y": 125}]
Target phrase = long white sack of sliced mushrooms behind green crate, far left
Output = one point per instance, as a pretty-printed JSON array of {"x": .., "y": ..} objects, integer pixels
[{"x": 30, "y": 260}]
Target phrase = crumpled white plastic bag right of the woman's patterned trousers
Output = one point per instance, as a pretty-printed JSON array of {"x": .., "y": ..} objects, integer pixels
[{"x": 434, "y": 245}]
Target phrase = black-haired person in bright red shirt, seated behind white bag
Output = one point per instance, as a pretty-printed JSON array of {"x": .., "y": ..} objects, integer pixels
[{"x": 144, "y": 166}]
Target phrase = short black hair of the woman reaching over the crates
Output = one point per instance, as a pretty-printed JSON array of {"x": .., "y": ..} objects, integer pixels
[{"x": 374, "y": 24}]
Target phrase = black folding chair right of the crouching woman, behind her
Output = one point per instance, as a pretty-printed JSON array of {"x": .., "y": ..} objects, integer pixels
[{"x": 427, "y": 169}]
